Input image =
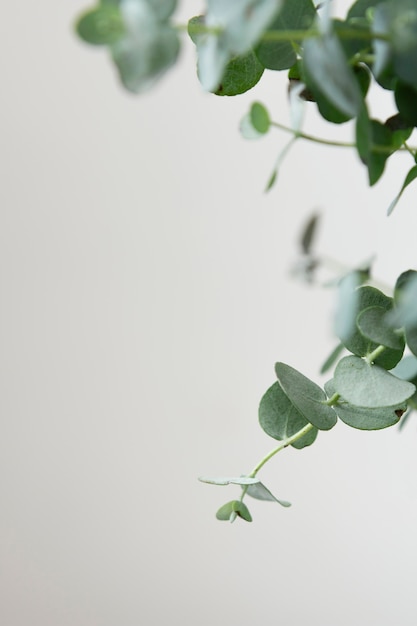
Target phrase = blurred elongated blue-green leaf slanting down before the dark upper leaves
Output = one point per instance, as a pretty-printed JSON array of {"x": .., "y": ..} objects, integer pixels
[{"x": 330, "y": 73}]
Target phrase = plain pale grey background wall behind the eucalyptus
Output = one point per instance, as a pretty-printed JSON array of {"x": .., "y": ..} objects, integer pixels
[{"x": 145, "y": 296}]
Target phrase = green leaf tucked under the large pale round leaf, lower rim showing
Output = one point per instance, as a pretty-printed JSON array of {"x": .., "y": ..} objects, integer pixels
[{"x": 366, "y": 418}]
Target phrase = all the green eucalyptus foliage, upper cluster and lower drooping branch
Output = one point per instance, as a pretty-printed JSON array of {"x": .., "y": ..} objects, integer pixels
[{"x": 330, "y": 64}]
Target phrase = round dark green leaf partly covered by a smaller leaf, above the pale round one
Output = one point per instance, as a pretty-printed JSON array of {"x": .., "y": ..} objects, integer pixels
[{"x": 355, "y": 341}]
